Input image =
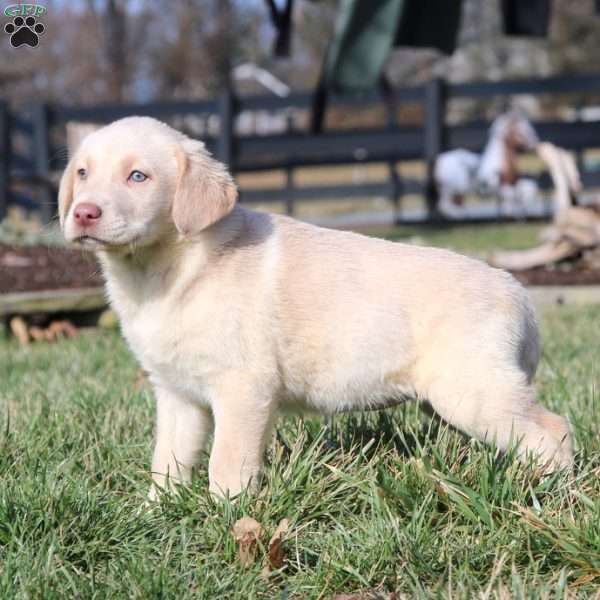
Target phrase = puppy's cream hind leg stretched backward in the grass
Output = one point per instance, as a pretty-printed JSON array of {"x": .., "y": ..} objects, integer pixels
[{"x": 502, "y": 407}]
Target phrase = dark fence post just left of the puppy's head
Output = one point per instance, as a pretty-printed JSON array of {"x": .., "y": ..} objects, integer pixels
[{"x": 41, "y": 149}]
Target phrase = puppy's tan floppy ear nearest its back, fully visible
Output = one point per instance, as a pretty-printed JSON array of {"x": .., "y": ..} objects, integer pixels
[{"x": 205, "y": 190}]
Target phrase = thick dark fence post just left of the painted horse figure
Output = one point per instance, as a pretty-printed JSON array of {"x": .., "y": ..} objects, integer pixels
[{"x": 435, "y": 112}]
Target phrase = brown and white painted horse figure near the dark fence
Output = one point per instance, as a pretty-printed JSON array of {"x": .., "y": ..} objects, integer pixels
[{"x": 493, "y": 173}]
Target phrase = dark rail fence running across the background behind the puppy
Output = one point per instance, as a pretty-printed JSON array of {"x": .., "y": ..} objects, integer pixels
[{"x": 30, "y": 139}]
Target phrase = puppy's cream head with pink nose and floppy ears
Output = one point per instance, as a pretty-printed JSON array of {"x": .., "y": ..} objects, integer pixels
[{"x": 136, "y": 181}]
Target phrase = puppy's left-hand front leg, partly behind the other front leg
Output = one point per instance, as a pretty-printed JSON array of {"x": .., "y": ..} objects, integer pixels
[{"x": 182, "y": 429}]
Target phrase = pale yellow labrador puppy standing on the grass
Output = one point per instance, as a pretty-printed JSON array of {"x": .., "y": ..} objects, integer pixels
[{"x": 237, "y": 314}]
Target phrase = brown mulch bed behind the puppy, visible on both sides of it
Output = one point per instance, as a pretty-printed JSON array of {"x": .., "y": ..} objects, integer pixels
[{"x": 33, "y": 268}]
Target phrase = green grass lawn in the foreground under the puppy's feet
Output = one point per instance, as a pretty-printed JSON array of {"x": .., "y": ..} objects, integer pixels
[{"x": 391, "y": 501}]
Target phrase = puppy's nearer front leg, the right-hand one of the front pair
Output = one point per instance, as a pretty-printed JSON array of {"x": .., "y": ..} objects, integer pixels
[{"x": 244, "y": 414}]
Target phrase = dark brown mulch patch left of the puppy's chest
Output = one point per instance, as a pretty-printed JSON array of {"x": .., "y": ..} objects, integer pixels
[{"x": 34, "y": 268}]
